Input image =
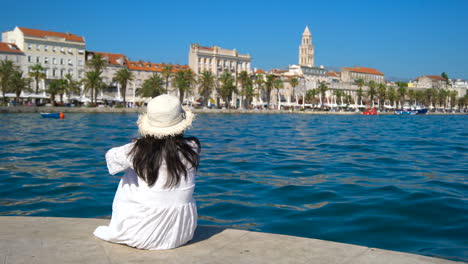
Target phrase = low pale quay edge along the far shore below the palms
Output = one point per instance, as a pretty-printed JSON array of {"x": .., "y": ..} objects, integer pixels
[{"x": 49, "y": 109}]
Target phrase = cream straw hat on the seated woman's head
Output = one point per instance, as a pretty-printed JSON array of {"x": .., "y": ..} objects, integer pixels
[{"x": 164, "y": 117}]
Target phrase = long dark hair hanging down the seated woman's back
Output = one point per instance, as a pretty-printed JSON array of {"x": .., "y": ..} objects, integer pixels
[{"x": 149, "y": 153}]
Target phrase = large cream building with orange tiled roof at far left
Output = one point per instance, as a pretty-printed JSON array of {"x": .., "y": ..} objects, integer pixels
[{"x": 59, "y": 53}]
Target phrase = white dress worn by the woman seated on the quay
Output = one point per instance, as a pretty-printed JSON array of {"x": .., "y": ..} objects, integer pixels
[{"x": 149, "y": 217}]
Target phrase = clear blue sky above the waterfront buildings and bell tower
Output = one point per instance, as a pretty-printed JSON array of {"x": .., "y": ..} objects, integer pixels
[{"x": 401, "y": 38}]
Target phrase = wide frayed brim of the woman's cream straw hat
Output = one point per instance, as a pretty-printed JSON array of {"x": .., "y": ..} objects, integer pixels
[{"x": 146, "y": 129}]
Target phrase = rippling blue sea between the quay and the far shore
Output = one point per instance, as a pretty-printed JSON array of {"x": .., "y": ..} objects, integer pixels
[{"x": 391, "y": 182}]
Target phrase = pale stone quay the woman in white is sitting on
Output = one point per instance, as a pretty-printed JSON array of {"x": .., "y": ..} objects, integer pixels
[{"x": 51, "y": 240}]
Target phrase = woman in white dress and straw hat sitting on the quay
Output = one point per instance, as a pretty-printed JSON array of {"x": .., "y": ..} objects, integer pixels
[{"x": 153, "y": 207}]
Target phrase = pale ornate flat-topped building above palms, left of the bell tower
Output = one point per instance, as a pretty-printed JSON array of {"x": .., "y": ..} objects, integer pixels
[{"x": 217, "y": 60}]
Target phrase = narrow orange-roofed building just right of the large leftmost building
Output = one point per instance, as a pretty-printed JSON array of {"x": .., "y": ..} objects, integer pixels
[{"x": 114, "y": 63}]
